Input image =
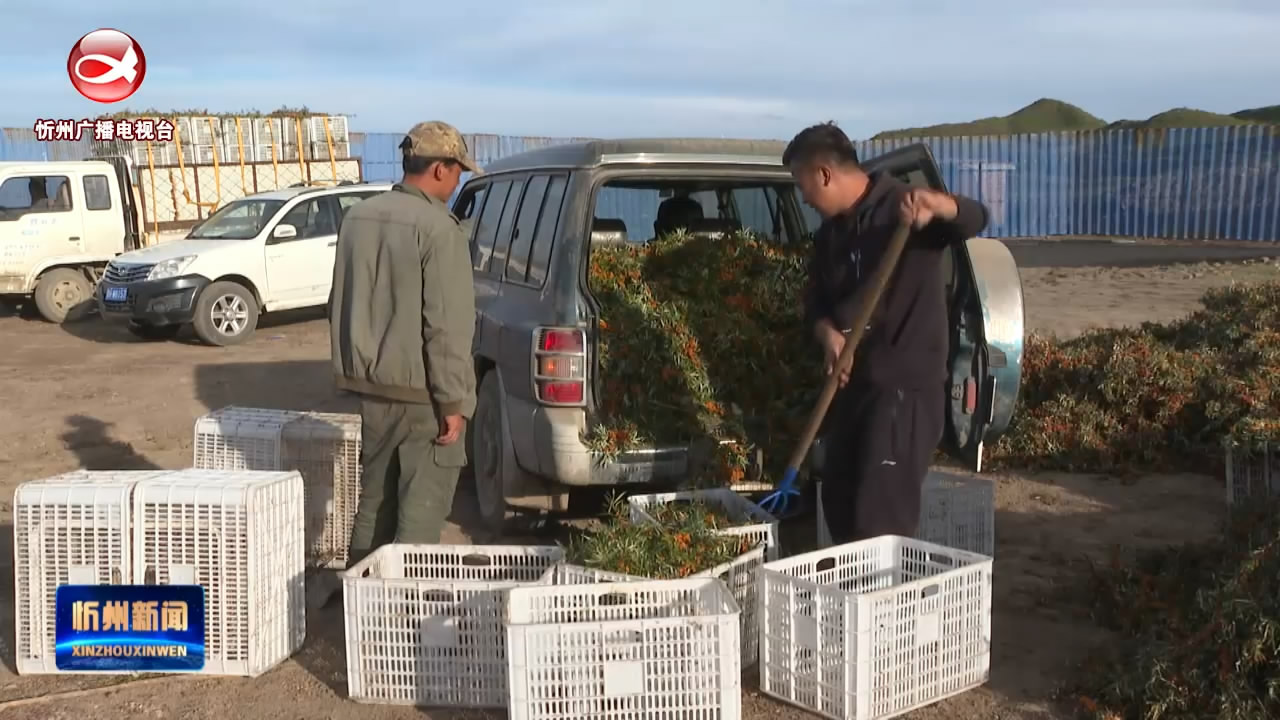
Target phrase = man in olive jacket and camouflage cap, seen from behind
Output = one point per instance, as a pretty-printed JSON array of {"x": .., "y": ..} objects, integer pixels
[{"x": 403, "y": 317}]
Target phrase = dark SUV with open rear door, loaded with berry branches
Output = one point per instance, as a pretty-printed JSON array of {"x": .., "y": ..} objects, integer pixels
[{"x": 534, "y": 220}]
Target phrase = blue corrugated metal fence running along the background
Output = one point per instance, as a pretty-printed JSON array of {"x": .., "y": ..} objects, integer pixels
[{"x": 1210, "y": 184}]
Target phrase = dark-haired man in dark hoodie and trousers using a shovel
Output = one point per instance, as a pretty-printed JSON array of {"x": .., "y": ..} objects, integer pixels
[{"x": 889, "y": 418}]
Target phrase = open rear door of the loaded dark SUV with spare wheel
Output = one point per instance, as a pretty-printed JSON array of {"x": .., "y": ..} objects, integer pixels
[{"x": 985, "y": 308}]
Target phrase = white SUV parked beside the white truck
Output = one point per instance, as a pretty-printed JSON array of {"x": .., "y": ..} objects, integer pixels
[{"x": 260, "y": 254}]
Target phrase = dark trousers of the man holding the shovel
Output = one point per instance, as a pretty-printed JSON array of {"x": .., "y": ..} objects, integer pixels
[{"x": 879, "y": 445}]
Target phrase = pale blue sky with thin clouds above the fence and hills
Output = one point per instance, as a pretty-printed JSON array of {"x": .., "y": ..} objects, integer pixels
[{"x": 708, "y": 69}]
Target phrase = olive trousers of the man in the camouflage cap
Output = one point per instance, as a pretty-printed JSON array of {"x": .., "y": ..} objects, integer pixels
[{"x": 408, "y": 481}]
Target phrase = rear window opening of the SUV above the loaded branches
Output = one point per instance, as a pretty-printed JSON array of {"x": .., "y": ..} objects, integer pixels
[{"x": 639, "y": 211}]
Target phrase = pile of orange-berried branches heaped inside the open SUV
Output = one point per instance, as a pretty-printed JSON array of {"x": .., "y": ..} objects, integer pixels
[{"x": 702, "y": 340}]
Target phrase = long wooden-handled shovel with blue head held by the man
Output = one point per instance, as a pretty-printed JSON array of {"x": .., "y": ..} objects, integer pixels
[{"x": 779, "y": 502}]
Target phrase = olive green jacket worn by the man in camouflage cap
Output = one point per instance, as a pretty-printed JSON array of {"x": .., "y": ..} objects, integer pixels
[{"x": 403, "y": 307}]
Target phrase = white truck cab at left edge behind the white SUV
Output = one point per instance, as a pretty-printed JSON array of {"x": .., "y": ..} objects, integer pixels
[{"x": 61, "y": 225}]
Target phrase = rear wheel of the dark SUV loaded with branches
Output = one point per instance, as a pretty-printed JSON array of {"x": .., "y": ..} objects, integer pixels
[{"x": 491, "y": 455}]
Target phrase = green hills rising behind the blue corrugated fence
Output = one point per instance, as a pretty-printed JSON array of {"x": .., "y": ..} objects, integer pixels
[{"x": 1055, "y": 116}]
